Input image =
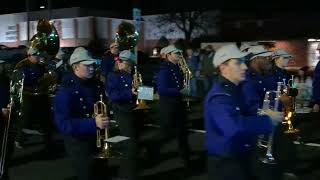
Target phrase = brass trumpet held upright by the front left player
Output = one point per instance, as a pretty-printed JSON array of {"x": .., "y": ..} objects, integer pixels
[{"x": 106, "y": 151}]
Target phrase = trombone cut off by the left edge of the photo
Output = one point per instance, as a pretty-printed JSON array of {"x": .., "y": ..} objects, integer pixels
[{"x": 16, "y": 89}]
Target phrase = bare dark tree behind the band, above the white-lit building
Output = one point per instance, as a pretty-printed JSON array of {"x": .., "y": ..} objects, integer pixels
[{"x": 192, "y": 24}]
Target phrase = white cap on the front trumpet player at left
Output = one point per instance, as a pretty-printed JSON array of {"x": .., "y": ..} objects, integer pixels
[{"x": 80, "y": 54}]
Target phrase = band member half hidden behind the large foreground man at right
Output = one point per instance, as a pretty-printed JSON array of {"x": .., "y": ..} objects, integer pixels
[{"x": 259, "y": 80}]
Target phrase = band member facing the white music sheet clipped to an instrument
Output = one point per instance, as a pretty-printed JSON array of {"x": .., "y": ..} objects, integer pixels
[{"x": 122, "y": 94}]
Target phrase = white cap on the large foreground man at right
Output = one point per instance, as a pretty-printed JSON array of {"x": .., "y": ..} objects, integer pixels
[{"x": 227, "y": 52}]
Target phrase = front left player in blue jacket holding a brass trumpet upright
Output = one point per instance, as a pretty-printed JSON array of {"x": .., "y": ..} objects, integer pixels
[{"x": 73, "y": 111}]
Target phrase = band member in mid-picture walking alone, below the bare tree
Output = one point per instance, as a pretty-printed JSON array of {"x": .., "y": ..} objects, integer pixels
[{"x": 172, "y": 109}]
